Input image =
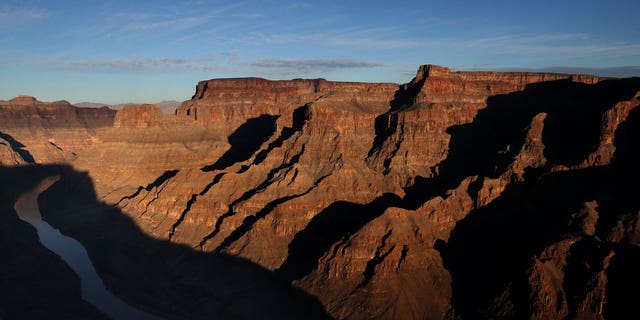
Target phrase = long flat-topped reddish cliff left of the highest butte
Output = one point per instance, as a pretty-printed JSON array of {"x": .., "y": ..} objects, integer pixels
[{"x": 233, "y": 101}]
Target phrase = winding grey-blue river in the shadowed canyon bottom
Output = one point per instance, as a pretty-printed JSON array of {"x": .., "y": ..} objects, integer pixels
[{"x": 75, "y": 255}]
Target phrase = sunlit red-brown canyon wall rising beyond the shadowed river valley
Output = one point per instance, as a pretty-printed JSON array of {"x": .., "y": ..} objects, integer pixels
[{"x": 457, "y": 195}]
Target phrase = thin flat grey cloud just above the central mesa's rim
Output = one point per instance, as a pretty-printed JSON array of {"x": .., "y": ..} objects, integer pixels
[{"x": 304, "y": 66}]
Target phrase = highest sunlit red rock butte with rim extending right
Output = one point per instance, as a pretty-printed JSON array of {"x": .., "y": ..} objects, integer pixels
[{"x": 413, "y": 137}]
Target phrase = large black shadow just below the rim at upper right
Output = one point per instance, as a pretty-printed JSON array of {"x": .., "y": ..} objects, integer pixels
[{"x": 488, "y": 145}]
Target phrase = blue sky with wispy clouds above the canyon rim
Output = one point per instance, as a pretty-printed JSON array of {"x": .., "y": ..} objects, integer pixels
[{"x": 148, "y": 51}]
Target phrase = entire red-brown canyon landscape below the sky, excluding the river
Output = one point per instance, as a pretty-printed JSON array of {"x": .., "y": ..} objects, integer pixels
[{"x": 458, "y": 195}]
